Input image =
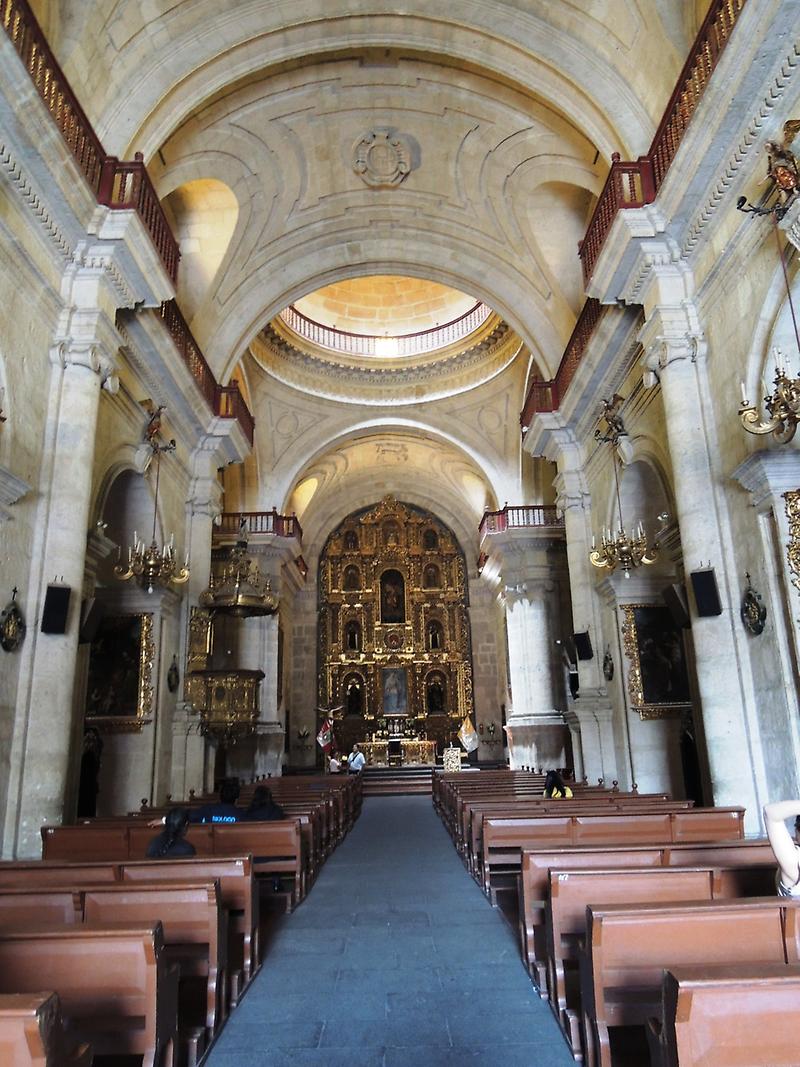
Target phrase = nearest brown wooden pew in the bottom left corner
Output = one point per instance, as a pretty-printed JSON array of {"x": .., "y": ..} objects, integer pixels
[{"x": 33, "y": 1033}]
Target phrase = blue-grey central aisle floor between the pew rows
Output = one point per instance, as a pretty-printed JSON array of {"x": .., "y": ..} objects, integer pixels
[{"x": 396, "y": 960}]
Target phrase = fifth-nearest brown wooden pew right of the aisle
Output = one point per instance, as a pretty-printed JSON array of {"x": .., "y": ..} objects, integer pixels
[{"x": 504, "y": 839}]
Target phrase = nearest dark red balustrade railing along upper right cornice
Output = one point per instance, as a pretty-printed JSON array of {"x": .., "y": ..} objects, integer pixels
[{"x": 637, "y": 184}]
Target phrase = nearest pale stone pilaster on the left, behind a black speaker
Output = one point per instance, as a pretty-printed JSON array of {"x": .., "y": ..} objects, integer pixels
[{"x": 41, "y": 744}]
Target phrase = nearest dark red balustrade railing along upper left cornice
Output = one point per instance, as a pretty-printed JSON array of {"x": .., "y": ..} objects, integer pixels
[{"x": 117, "y": 185}]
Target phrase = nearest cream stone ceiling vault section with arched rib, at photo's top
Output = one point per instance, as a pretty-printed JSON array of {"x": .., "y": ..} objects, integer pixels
[{"x": 143, "y": 76}]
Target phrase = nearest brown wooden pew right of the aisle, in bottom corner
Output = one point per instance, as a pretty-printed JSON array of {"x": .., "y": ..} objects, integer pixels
[{"x": 735, "y": 1017}]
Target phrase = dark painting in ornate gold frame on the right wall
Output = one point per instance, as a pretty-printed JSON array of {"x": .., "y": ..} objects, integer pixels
[{"x": 658, "y": 678}]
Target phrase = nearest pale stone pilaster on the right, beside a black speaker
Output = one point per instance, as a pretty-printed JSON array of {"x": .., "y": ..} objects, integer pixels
[{"x": 675, "y": 356}]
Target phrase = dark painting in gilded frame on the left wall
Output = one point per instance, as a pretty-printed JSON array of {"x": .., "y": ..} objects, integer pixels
[{"x": 120, "y": 683}]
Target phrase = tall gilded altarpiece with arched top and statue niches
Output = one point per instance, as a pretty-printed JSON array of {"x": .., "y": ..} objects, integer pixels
[{"x": 394, "y": 631}]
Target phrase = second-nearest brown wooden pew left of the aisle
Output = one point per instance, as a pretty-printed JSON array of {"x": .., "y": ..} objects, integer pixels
[{"x": 116, "y": 989}]
